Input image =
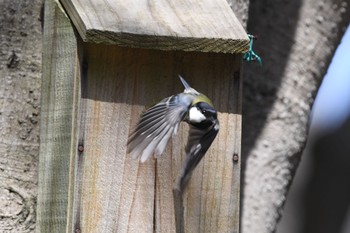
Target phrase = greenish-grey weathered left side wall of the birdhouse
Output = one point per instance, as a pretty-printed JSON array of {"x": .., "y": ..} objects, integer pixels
[{"x": 58, "y": 118}]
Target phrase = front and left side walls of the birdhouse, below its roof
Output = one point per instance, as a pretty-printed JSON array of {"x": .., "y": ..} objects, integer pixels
[{"x": 92, "y": 97}]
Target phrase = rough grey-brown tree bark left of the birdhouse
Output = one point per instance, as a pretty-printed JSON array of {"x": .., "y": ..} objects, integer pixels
[{"x": 20, "y": 80}]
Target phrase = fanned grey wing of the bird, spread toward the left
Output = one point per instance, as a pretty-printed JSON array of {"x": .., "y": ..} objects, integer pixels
[{"x": 156, "y": 126}]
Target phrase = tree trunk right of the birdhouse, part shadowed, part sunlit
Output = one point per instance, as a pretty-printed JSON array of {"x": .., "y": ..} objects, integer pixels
[{"x": 296, "y": 42}]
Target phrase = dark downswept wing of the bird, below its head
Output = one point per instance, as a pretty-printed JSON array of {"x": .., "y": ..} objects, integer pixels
[{"x": 199, "y": 141}]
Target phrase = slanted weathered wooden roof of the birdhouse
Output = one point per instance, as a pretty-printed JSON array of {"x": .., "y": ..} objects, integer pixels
[{"x": 188, "y": 25}]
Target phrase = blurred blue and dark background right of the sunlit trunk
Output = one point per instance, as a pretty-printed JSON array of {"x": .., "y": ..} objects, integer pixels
[{"x": 319, "y": 198}]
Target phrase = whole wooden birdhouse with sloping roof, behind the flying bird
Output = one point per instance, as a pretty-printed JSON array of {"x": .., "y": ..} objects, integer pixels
[{"x": 104, "y": 64}]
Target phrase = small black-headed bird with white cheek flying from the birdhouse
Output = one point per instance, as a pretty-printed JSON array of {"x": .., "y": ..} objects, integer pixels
[{"x": 161, "y": 121}]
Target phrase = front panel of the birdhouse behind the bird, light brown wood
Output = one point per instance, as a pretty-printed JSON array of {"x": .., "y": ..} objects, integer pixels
[{"x": 119, "y": 194}]
